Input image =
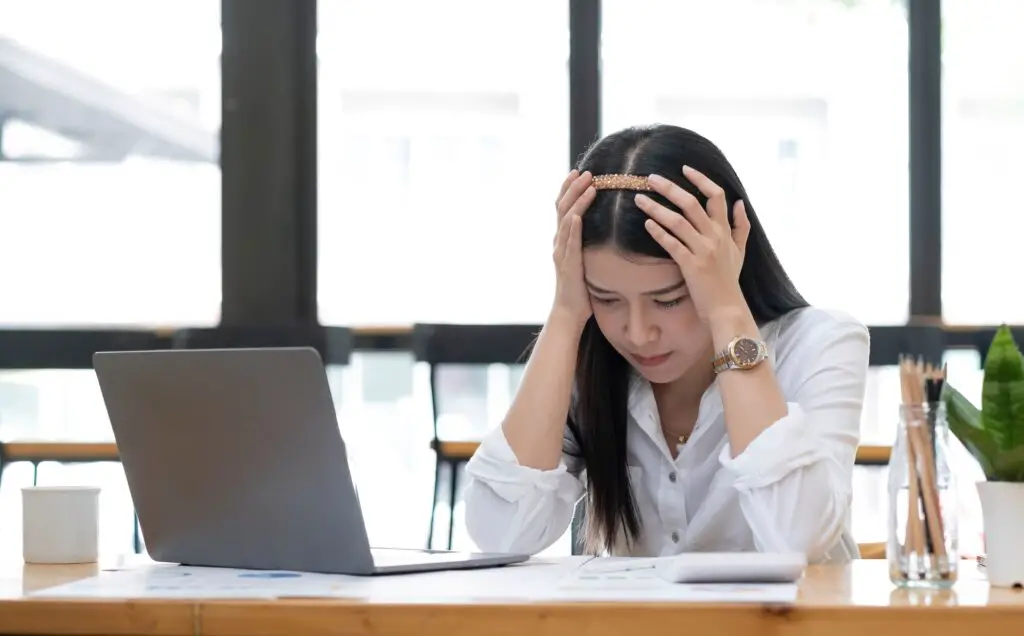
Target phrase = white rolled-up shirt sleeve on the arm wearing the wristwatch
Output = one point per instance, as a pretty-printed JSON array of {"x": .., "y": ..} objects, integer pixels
[{"x": 795, "y": 480}]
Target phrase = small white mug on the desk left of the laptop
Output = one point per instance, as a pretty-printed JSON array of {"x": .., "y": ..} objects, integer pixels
[{"x": 61, "y": 525}]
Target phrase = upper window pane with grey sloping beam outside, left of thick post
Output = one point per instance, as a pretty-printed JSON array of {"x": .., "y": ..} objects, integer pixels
[{"x": 110, "y": 188}]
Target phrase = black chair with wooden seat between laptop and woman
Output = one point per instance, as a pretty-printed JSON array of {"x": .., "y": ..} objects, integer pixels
[{"x": 462, "y": 345}]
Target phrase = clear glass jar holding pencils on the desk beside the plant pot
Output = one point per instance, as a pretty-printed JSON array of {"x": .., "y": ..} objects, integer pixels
[{"x": 922, "y": 548}]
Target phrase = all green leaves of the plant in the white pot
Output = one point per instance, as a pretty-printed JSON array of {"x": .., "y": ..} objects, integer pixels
[{"x": 995, "y": 435}]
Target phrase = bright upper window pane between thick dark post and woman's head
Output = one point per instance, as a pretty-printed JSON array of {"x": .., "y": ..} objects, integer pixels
[{"x": 444, "y": 139}]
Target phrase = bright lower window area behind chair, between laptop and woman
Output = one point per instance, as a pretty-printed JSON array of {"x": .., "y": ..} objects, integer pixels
[{"x": 385, "y": 410}]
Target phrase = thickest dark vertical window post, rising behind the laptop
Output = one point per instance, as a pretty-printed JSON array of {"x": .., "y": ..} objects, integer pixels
[{"x": 269, "y": 163}]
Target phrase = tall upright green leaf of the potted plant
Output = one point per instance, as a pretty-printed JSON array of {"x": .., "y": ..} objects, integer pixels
[{"x": 1003, "y": 392}]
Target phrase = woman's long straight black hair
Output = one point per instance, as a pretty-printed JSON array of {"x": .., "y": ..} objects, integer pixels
[{"x": 599, "y": 418}]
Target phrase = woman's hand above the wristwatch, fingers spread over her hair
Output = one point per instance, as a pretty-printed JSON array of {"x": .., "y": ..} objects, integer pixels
[{"x": 709, "y": 252}]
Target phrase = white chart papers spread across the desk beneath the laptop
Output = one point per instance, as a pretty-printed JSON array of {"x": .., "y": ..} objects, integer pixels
[{"x": 535, "y": 581}]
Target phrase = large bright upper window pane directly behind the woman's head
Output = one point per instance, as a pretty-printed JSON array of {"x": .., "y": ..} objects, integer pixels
[{"x": 808, "y": 101}]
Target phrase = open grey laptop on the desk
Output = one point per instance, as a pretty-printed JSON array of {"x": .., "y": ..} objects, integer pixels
[{"x": 235, "y": 459}]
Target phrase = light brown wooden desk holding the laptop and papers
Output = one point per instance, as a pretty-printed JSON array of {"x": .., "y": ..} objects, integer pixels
[{"x": 837, "y": 601}]
